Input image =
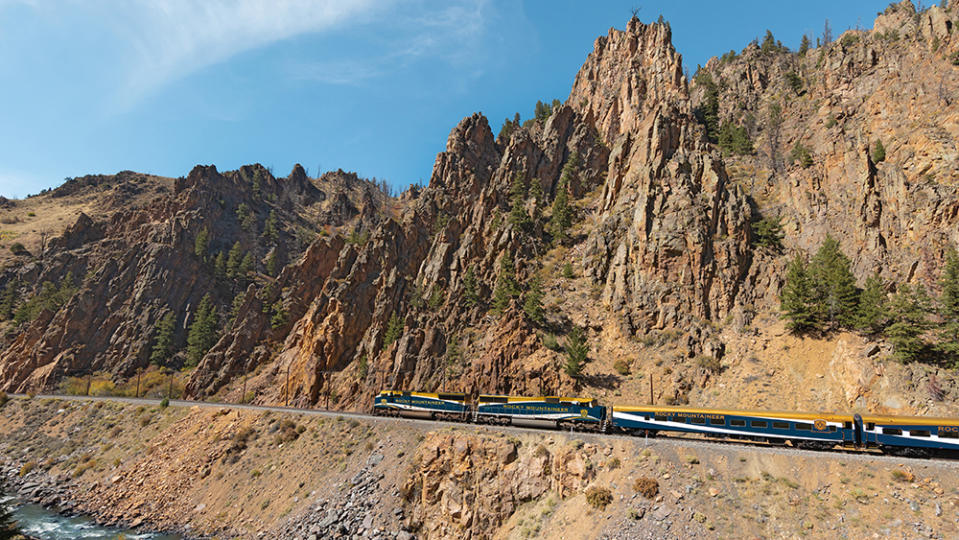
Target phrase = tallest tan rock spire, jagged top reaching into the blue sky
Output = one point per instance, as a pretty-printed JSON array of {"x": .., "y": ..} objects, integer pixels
[{"x": 672, "y": 240}]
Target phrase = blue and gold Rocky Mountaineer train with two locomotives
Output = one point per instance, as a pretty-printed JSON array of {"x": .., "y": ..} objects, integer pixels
[{"x": 901, "y": 435}]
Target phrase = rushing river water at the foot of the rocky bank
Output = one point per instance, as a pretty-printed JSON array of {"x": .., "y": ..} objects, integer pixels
[{"x": 39, "y": 522}]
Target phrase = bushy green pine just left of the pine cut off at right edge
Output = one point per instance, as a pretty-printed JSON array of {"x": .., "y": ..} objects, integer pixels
[{"x": 909, "y": 310}]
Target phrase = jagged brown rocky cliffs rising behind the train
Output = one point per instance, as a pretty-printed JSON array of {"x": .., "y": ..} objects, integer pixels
[{"x": 660, "y": 265}]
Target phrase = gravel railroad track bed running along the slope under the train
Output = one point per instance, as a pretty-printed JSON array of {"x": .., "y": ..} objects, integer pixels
[{"x": 654, "y": 442}]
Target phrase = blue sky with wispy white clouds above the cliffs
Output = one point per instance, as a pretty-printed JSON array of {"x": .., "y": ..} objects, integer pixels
[{"x": 374, "y": 86}]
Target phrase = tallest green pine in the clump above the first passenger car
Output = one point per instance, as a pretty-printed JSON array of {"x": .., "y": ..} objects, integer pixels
[{"x": 834, "y": 286}]
